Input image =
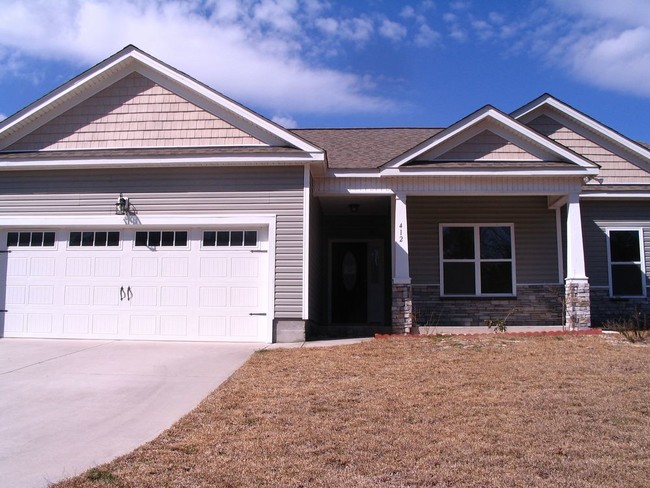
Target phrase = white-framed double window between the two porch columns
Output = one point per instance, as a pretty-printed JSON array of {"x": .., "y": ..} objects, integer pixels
[{"x": 477, "y": 260}]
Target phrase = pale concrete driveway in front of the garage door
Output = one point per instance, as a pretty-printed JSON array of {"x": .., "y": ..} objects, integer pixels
[{"x": 67, "y": 405}]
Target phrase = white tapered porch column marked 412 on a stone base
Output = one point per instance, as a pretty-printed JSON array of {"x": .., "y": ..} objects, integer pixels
[{"x": 402, "y": 307}]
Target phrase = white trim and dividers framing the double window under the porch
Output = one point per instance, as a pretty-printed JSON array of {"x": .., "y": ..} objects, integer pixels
[{"x": 477, "y": 260}]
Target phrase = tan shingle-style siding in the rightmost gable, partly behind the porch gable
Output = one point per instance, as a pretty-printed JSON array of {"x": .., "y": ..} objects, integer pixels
[{"x": 614, "y": 168}]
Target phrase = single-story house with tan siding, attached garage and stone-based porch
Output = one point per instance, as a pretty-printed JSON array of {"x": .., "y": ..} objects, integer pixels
[{"x": 138, "y": 203}]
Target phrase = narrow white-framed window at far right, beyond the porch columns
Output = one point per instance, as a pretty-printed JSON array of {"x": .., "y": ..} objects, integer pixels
[{"x": 626, "y": 263}]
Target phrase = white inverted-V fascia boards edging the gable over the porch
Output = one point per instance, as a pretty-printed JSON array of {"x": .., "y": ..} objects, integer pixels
[{"x": 493, "y": 114}]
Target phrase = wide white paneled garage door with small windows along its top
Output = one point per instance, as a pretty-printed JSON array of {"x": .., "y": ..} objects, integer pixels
[{"x": 162, "y": 284}]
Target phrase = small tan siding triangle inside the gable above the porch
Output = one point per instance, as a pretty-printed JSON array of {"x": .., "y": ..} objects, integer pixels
[{"x": 487, "y": 146}]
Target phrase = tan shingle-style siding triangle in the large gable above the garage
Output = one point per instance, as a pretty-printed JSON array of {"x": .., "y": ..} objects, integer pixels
[{"x": 134, "y": 112}]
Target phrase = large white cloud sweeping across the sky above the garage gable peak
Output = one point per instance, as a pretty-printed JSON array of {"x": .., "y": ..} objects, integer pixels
[{"x": 257, "y": 51}]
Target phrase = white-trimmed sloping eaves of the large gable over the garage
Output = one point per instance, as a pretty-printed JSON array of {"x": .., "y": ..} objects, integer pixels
[{"x": 131, "y": 60}]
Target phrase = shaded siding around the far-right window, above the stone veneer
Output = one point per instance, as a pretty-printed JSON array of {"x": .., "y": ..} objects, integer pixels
[{"x": 596, "y": 218}]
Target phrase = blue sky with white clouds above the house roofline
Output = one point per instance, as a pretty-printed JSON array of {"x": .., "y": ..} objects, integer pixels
[{"x": 357, "y": 63}]
